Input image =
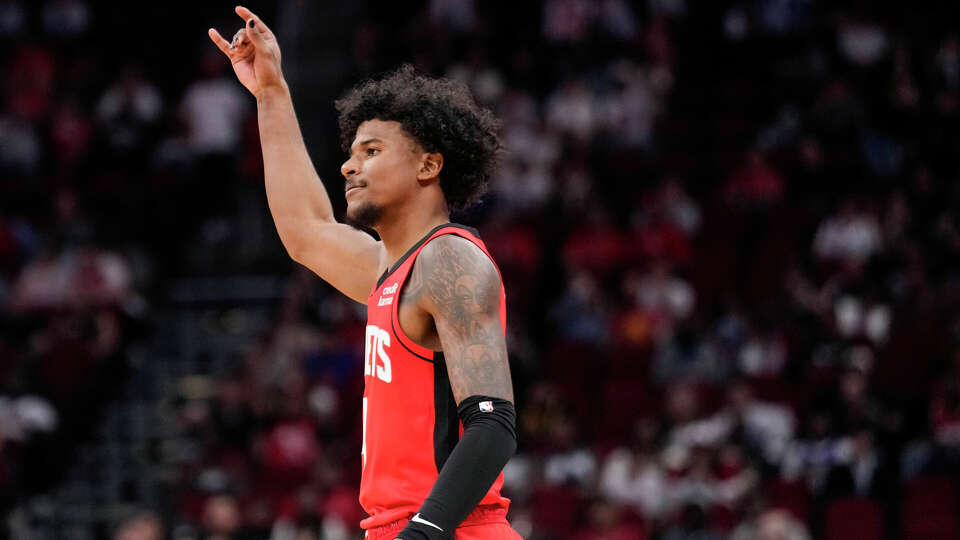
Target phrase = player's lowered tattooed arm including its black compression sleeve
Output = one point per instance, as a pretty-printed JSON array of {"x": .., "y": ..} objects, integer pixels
[{"x": 458, "y": 285}]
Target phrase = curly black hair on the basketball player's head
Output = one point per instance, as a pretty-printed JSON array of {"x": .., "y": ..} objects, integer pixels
[{"x": 442, "y": 116}]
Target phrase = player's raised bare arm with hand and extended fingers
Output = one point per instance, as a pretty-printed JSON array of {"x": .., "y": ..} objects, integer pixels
[{"x": 348, "y": 259}]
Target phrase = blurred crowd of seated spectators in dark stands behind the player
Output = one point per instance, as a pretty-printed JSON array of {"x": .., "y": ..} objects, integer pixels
[{"x": 729, "y": 233}]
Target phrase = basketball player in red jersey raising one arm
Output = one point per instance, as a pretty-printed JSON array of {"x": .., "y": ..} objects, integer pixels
[{"x": 438, "y": 414}]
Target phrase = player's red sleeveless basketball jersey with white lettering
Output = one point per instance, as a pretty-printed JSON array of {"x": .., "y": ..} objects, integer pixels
[{"x": 410, "y": 422}]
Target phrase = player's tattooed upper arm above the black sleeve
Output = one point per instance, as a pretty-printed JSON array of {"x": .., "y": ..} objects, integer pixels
[{"x": 462, "y": 293}]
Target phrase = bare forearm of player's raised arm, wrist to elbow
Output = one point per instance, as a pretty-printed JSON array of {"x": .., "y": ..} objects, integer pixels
[{"x": 295, "y": 193}]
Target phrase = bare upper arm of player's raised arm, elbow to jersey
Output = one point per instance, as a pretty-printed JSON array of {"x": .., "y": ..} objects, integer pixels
[{"x": 346, "y": 258}]
